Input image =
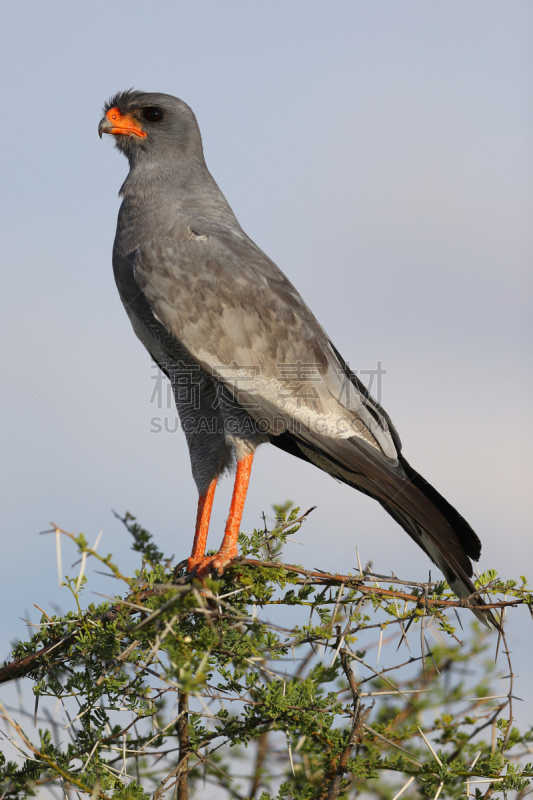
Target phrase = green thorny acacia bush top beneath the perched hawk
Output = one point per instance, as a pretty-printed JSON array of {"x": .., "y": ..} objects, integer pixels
[{"x": 272, "y": 681}]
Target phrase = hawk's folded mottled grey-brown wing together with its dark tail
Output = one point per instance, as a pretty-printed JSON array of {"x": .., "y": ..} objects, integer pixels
[{"x": 231, "y": 308}]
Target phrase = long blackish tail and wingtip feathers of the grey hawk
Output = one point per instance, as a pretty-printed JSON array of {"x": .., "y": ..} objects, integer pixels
[{"x": 435, "y": 525}]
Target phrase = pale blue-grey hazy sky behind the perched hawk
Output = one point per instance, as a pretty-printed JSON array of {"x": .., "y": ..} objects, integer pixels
[{"x": 381, "y": 154}]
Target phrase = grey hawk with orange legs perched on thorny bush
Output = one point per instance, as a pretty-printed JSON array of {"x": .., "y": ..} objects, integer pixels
[{"x": 248, "y": 361}]
